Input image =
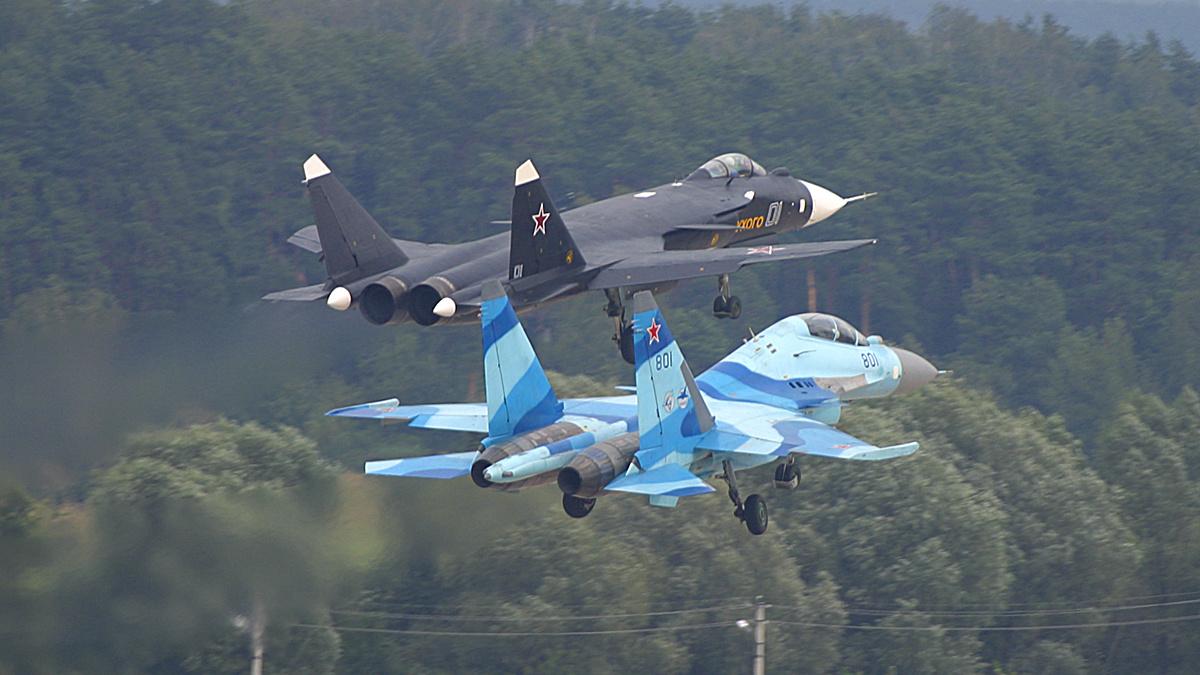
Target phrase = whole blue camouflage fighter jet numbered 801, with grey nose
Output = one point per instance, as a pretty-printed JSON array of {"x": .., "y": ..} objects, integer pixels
[{"x": 775, "y": 398}]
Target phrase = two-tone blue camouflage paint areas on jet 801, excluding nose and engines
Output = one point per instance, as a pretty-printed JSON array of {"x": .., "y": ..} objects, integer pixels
[{"x": 751, "y": 410}]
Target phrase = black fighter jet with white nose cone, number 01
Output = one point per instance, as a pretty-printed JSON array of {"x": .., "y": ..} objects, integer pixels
[{"x": 647, "y": 241}]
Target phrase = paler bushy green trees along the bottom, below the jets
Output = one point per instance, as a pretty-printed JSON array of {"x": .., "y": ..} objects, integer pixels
[{"x": 197, "y": 534}]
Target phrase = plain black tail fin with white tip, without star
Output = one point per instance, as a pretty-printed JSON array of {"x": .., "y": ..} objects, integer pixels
[{"x": 353, "y": 244}]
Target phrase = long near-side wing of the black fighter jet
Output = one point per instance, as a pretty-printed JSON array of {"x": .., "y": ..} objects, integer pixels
[{"x": 673, "y": 266}]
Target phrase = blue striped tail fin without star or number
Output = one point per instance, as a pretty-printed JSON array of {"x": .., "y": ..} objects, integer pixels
[{"x": 519, "y": 395}]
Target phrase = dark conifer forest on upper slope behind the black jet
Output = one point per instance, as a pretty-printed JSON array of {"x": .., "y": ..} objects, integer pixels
[{"x": 152, "y": 150}]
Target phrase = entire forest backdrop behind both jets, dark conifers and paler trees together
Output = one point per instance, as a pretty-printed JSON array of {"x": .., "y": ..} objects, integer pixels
[{"x": 170, "y": 483}]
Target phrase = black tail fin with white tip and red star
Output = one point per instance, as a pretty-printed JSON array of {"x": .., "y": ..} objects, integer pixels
[{"x": 539, "y": 241}]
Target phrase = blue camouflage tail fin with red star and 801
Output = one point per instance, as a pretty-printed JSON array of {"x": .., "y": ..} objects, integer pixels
[{"x": 671, "y": 414}]
